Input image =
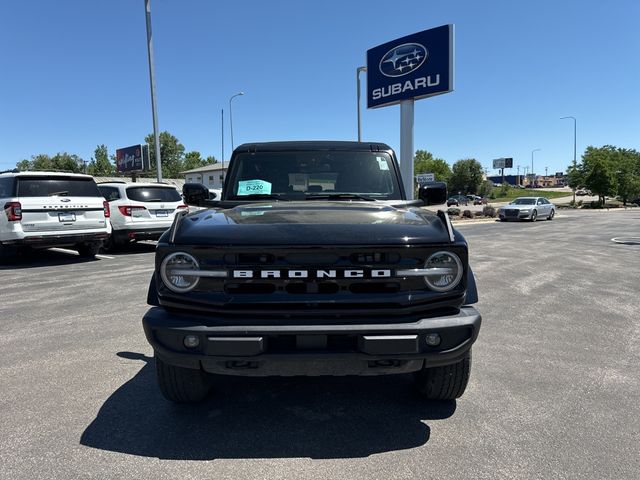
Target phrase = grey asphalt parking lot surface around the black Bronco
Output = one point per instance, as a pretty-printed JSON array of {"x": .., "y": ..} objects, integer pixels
[{"x": 554, "y": 391}]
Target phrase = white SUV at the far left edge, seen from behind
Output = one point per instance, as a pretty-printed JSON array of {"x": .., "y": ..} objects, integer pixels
[{"x": 49, "y": 209}]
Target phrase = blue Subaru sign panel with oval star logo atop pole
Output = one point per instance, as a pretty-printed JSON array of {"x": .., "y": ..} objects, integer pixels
[{"x": 411, "y": 67}]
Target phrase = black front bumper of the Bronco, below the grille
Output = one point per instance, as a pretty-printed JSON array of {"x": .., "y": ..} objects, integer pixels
[{"x": 310, "y": 349}]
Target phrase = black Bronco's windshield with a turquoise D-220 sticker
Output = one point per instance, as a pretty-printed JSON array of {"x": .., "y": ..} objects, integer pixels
[{"x": 303, "y": 175}]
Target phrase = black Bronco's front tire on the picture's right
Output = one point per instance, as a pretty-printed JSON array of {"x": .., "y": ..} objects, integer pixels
[{"x": 444, "y": 383}]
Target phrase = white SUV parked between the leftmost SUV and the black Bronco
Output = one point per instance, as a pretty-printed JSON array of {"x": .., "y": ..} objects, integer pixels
[{"x": 140, "y": 211}]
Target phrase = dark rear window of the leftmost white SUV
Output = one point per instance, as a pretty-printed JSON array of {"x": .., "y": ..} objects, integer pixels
[{"x": 49, "y": 186}]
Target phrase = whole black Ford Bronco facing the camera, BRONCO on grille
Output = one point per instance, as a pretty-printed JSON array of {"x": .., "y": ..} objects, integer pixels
[{"x": 312, "y": 263}]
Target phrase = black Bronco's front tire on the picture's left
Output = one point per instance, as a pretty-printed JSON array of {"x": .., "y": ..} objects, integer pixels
[{"x": 182, "y": 385}]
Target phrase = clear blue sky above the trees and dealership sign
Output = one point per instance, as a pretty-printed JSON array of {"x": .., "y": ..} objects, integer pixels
[{"x": 74, "y": 74}]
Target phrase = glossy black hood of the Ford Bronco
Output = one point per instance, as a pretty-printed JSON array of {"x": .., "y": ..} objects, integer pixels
[{"x": 311, "y": 223}]
